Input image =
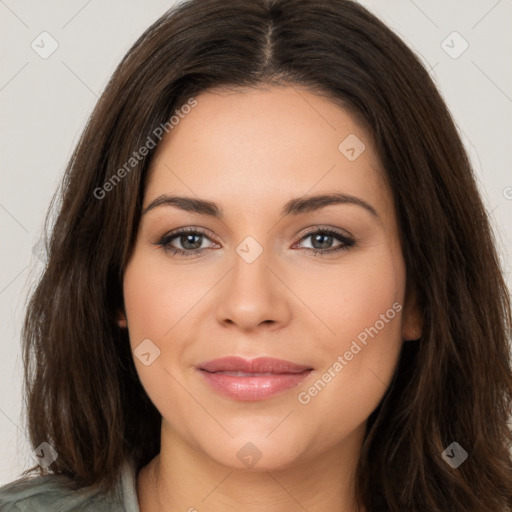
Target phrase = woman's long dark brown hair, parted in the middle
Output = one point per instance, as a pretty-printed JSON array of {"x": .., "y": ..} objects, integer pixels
[{"x": 454, "y": 384}]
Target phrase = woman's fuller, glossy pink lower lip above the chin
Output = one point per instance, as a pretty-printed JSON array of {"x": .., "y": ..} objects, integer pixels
[{"x": 252, "y": 388}]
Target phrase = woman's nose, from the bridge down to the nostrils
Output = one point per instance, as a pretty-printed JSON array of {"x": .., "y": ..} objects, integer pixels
[{"x": 253, "y": 293}]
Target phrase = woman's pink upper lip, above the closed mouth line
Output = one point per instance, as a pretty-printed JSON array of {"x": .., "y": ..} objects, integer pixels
[{"x": 258, "y": 365}]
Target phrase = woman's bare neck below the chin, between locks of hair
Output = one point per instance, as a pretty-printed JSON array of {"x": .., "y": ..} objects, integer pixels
[{"x": 182, "y": 478}]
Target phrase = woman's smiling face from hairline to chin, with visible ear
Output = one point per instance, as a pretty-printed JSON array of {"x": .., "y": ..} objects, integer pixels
[{"x": 247, "y": 282}]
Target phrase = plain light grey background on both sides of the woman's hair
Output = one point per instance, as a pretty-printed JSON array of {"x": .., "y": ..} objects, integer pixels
[{"x": 44, "y": 105}]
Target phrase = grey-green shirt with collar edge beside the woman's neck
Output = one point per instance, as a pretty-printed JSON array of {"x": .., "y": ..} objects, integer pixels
[{"x": 49, "y": 494}]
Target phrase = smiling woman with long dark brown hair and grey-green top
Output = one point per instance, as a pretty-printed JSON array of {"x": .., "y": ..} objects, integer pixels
[{"x": 273, "y": 282}]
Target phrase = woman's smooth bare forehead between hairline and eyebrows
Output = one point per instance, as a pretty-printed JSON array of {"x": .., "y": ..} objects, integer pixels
[{"x": 259, "y": 147}]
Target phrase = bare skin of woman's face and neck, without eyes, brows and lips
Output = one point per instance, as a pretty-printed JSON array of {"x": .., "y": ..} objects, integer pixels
[{"x": 251, "y": 151}]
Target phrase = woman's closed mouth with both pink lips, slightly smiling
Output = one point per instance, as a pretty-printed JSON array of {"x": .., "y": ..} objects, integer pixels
[{"x": 251, "y": 380}]
